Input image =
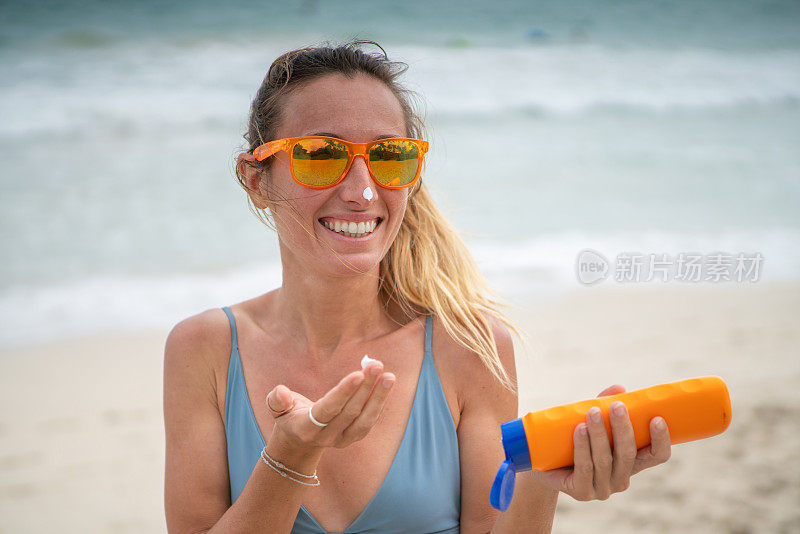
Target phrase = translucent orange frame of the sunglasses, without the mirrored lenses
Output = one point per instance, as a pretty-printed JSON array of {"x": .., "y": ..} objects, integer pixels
[{"x": 354, "y": 150}]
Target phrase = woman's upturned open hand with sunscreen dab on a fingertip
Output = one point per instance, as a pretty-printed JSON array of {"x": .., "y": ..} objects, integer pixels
[{"x": 350, "y": 409}]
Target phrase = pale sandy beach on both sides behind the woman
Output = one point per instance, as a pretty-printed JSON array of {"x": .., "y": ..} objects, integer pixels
[{"x": 81, "y": 432}]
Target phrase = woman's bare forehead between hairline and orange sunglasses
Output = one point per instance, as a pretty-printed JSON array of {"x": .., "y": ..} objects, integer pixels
[{"x": 357, "y": 109}]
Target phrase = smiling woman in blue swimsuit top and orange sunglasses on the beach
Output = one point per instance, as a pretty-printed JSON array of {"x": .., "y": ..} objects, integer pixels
[{"x": 271, "y": 423}]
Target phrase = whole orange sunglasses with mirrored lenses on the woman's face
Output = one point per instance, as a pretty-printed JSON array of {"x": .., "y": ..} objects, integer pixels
[{"x": 319, "y": 162}]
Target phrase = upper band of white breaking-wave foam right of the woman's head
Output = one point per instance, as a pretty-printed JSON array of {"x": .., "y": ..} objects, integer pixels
[{"x": 573, "y": 79}]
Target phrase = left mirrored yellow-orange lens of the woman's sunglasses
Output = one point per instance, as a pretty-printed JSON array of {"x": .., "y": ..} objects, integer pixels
[{"x": 318, "y": 162}]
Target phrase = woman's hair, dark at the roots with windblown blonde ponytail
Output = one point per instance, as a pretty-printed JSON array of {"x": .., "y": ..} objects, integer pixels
[{"x": 427, "y": 268}]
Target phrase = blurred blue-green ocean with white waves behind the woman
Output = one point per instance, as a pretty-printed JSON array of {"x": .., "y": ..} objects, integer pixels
[{"x": 657, "y": 128}]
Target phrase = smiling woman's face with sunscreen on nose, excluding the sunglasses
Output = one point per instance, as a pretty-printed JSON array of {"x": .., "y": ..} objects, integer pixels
[{"x": 358, "y": 109}]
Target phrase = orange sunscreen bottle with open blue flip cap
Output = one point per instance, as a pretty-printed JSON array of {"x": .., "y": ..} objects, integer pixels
[{"x": 693, "y": 409}]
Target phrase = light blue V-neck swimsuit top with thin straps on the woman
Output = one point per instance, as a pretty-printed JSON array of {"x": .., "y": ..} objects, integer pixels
[{"x": 422, "y": 490}]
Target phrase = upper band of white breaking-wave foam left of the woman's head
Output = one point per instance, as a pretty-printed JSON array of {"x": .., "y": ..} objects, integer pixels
[{"x": 138, "y": 88}]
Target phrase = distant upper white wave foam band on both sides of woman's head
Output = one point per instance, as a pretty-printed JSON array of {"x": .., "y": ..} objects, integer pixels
[{"x": 149, "y": 86}]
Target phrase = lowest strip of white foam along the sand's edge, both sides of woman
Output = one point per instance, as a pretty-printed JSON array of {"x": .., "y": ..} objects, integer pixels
[{"x": 515, "y": 270}]
